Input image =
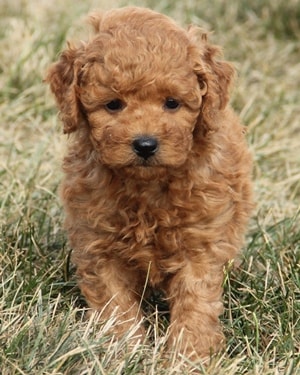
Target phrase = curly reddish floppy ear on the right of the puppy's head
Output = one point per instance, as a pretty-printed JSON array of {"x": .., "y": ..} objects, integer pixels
[{"x": 215, "y": 74}]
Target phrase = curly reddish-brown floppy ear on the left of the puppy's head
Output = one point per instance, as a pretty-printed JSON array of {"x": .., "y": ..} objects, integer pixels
[{"x": 62, "y": 77}]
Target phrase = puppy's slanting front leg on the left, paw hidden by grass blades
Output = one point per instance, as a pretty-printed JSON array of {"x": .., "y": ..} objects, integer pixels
[{"x": 109, "y": 290}]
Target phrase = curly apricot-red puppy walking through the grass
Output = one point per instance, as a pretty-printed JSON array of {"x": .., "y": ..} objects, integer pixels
[{"x": 157, "y": 184}]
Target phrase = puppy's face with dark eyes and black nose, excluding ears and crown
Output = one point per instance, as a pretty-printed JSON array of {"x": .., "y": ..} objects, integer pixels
[{"x": 141, "y": 115}]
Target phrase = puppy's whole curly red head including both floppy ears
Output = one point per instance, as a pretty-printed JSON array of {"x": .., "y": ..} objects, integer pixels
[{"x": 141, "y": 86}]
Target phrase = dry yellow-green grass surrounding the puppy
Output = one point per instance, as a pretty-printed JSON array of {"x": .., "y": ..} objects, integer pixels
[{"x": 42, "y": 330}]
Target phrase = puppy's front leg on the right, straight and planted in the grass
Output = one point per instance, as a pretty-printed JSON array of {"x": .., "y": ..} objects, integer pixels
[{"x": 195, "y": 304}]
